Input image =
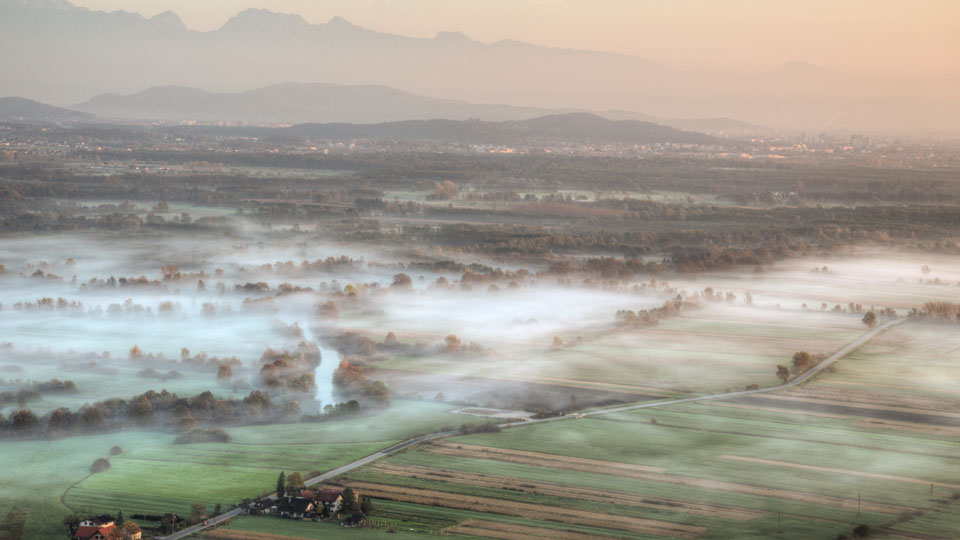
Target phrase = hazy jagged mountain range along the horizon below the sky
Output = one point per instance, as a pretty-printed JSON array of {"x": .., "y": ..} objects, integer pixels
[{"x": 57, "y": 53}]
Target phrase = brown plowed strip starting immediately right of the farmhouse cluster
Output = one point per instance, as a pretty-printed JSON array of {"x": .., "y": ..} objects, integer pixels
[{"x": 527, "y": 510}]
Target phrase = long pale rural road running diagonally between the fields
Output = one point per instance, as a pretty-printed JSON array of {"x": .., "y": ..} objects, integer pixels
[{"x": 809, "y": 374}]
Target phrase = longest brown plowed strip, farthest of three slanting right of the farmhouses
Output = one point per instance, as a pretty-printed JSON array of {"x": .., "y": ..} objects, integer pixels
[{"x": 617, "y": 469}]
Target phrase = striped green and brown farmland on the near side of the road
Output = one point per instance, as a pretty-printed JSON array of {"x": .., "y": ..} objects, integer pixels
[{"x": 804, "y": 466}]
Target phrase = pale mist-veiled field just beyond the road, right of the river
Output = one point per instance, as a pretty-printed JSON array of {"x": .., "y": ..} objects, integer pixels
[{"x": 705, "y": 350}]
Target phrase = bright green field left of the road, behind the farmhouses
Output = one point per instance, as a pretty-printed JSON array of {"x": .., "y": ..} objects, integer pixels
[{"x": 49, "y": 478}]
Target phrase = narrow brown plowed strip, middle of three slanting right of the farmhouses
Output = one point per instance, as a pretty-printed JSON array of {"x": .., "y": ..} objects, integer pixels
[{"x": 558, "y": 490}]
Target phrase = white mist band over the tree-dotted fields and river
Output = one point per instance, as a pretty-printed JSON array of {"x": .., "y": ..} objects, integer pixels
[{"x": 85, "y": 316}]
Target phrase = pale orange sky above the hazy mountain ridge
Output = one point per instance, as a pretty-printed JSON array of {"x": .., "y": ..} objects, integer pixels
[{"x": 898, "y": 38}]
